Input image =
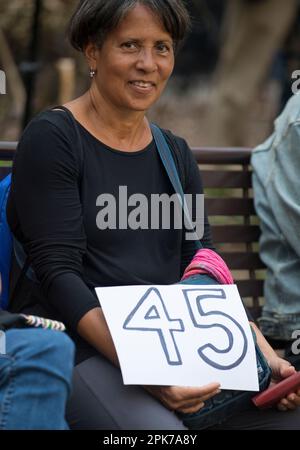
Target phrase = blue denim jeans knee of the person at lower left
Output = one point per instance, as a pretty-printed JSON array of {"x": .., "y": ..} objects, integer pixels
[{"x": 35, "y": 376}]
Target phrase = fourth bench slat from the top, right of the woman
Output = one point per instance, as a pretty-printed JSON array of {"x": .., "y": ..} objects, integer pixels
[{"x": 235, "y": 233}]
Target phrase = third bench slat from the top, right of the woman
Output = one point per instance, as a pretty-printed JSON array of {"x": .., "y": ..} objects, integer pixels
[{"x": 229, "y": 206}]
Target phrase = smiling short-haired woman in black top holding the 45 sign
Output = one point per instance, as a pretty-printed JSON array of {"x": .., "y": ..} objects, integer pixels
[{"x": 129, "y": 47}]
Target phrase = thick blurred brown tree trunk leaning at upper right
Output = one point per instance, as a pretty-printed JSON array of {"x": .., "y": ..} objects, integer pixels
[{"x": 254, "y": 31}]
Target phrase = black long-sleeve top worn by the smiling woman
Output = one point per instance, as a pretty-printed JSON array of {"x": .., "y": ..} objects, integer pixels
[{"x": 54, "y": 207}]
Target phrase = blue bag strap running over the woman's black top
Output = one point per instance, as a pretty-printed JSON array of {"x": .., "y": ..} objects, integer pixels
[{"x": 169, "y": 164}]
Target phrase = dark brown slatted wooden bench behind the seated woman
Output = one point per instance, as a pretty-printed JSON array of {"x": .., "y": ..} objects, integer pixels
[{"x": 226, "y": 176}]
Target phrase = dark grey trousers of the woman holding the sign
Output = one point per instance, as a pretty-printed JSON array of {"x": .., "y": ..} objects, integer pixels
[{"x": 100, "y": 401}]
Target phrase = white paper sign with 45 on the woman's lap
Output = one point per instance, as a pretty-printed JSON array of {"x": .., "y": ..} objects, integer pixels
[{"x": 182, "y": 335}]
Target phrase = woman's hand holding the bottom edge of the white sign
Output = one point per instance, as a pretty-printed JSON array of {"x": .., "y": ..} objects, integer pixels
[{"x": 184, "y": 399}]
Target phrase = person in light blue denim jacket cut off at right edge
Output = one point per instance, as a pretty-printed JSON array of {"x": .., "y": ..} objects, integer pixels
[{"x": 276, "y": 185}]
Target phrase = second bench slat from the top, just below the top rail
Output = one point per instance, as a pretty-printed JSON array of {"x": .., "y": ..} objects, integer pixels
[{"x": 226, "y": 179}]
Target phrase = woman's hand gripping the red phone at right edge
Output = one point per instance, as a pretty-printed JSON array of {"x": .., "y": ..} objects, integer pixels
[{"x": 282, "y": 369}]
